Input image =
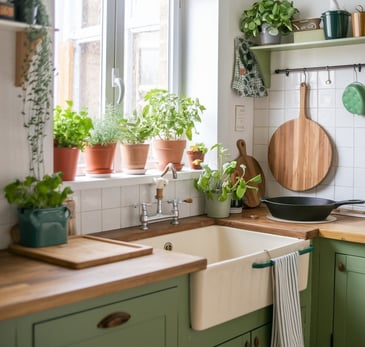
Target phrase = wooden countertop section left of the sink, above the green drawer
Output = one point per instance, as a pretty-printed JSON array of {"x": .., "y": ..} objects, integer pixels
[{"x": 28, "y": 286}]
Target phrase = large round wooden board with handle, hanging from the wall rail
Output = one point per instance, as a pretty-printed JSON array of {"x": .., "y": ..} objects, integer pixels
[{"x": 300, "y": 151}]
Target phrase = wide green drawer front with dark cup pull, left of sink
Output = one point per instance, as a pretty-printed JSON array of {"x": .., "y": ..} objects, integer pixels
[{"x": 152, "y": 322}]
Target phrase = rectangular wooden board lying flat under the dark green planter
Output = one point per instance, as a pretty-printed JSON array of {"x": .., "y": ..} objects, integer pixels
[{"x": 84, "y": 251}]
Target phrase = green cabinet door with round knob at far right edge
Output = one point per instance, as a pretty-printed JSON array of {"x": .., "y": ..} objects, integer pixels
[{"x": 349, "y": 305}]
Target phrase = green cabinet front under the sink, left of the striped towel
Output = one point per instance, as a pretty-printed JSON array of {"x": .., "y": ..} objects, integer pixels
[{"x": 260, "y": 337}]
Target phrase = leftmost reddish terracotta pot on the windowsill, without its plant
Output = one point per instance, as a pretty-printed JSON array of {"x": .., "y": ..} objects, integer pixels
[{"x": 65, "y": 160}]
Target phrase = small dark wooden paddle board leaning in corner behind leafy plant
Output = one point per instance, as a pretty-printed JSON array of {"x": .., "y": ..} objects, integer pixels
[{"x": 253, "y": 168}]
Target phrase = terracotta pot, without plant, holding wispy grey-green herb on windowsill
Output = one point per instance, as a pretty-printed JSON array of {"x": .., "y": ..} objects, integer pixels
[{"x": 99, "y": 159}]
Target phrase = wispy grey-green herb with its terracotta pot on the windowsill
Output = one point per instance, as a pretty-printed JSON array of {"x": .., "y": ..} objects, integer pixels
[{"x": 101, "y": 144}]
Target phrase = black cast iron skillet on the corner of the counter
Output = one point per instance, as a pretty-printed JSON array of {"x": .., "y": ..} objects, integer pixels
[{"x": 302, "y": 208}]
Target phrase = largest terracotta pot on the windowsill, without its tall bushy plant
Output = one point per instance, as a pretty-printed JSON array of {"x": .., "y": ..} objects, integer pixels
[{"x": 169, "y": 151}]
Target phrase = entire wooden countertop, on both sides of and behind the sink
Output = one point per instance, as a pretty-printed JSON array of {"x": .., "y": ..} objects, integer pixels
[{"x": 28, "y": 286}]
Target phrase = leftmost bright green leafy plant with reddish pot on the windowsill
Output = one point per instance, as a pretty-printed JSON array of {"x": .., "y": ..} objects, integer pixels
[{"x": 70, "y": 131}]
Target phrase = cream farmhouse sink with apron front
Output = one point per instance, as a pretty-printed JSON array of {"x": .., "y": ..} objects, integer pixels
[{"x": 230, "y": 287}]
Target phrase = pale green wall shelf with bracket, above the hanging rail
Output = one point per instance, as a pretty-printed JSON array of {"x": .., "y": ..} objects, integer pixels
[{"x": 263, "y": 53}]
